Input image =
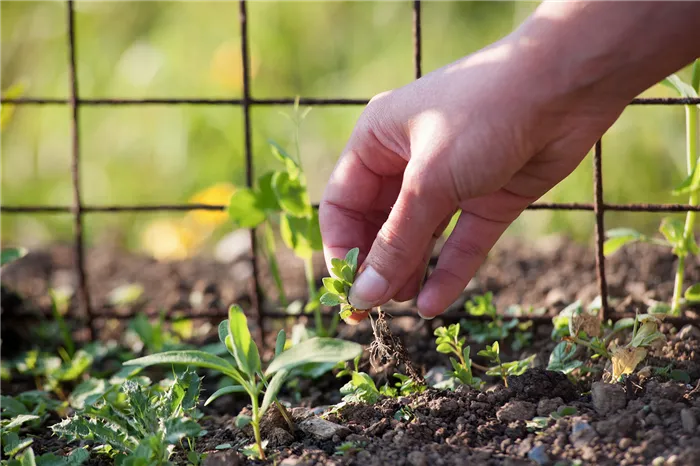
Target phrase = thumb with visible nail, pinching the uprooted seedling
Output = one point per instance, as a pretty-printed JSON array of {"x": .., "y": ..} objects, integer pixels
[{"x": 401, "y": 243}]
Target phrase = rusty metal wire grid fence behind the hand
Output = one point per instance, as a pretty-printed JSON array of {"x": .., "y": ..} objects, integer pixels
[{"x": 78, "y": 209}]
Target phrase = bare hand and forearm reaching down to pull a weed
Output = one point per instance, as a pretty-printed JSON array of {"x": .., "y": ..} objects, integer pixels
[{"x": 490, "y": 134}]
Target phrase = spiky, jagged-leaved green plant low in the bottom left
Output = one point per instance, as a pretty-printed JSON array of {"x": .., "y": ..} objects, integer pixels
[{"x": 143, "y": 426}]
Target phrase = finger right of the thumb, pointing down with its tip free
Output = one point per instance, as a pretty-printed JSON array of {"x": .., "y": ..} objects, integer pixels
[{"x": 463, "y": 253}]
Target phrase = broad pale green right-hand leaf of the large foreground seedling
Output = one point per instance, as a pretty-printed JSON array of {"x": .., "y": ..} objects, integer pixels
[{"x": 315, "y": 350}]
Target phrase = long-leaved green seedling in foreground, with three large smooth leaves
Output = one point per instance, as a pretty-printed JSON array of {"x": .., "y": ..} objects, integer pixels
[{"x": 246, "y": 367}]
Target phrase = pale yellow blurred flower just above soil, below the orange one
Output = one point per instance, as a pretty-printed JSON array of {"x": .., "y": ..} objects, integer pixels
[{"x": 169, "y": 239}]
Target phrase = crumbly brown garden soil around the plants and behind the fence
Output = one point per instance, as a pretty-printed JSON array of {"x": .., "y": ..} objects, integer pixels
[{"x": 655, "y": 418}]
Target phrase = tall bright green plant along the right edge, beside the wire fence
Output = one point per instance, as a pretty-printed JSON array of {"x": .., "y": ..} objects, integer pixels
[{"x": 679, "y": 236}]
